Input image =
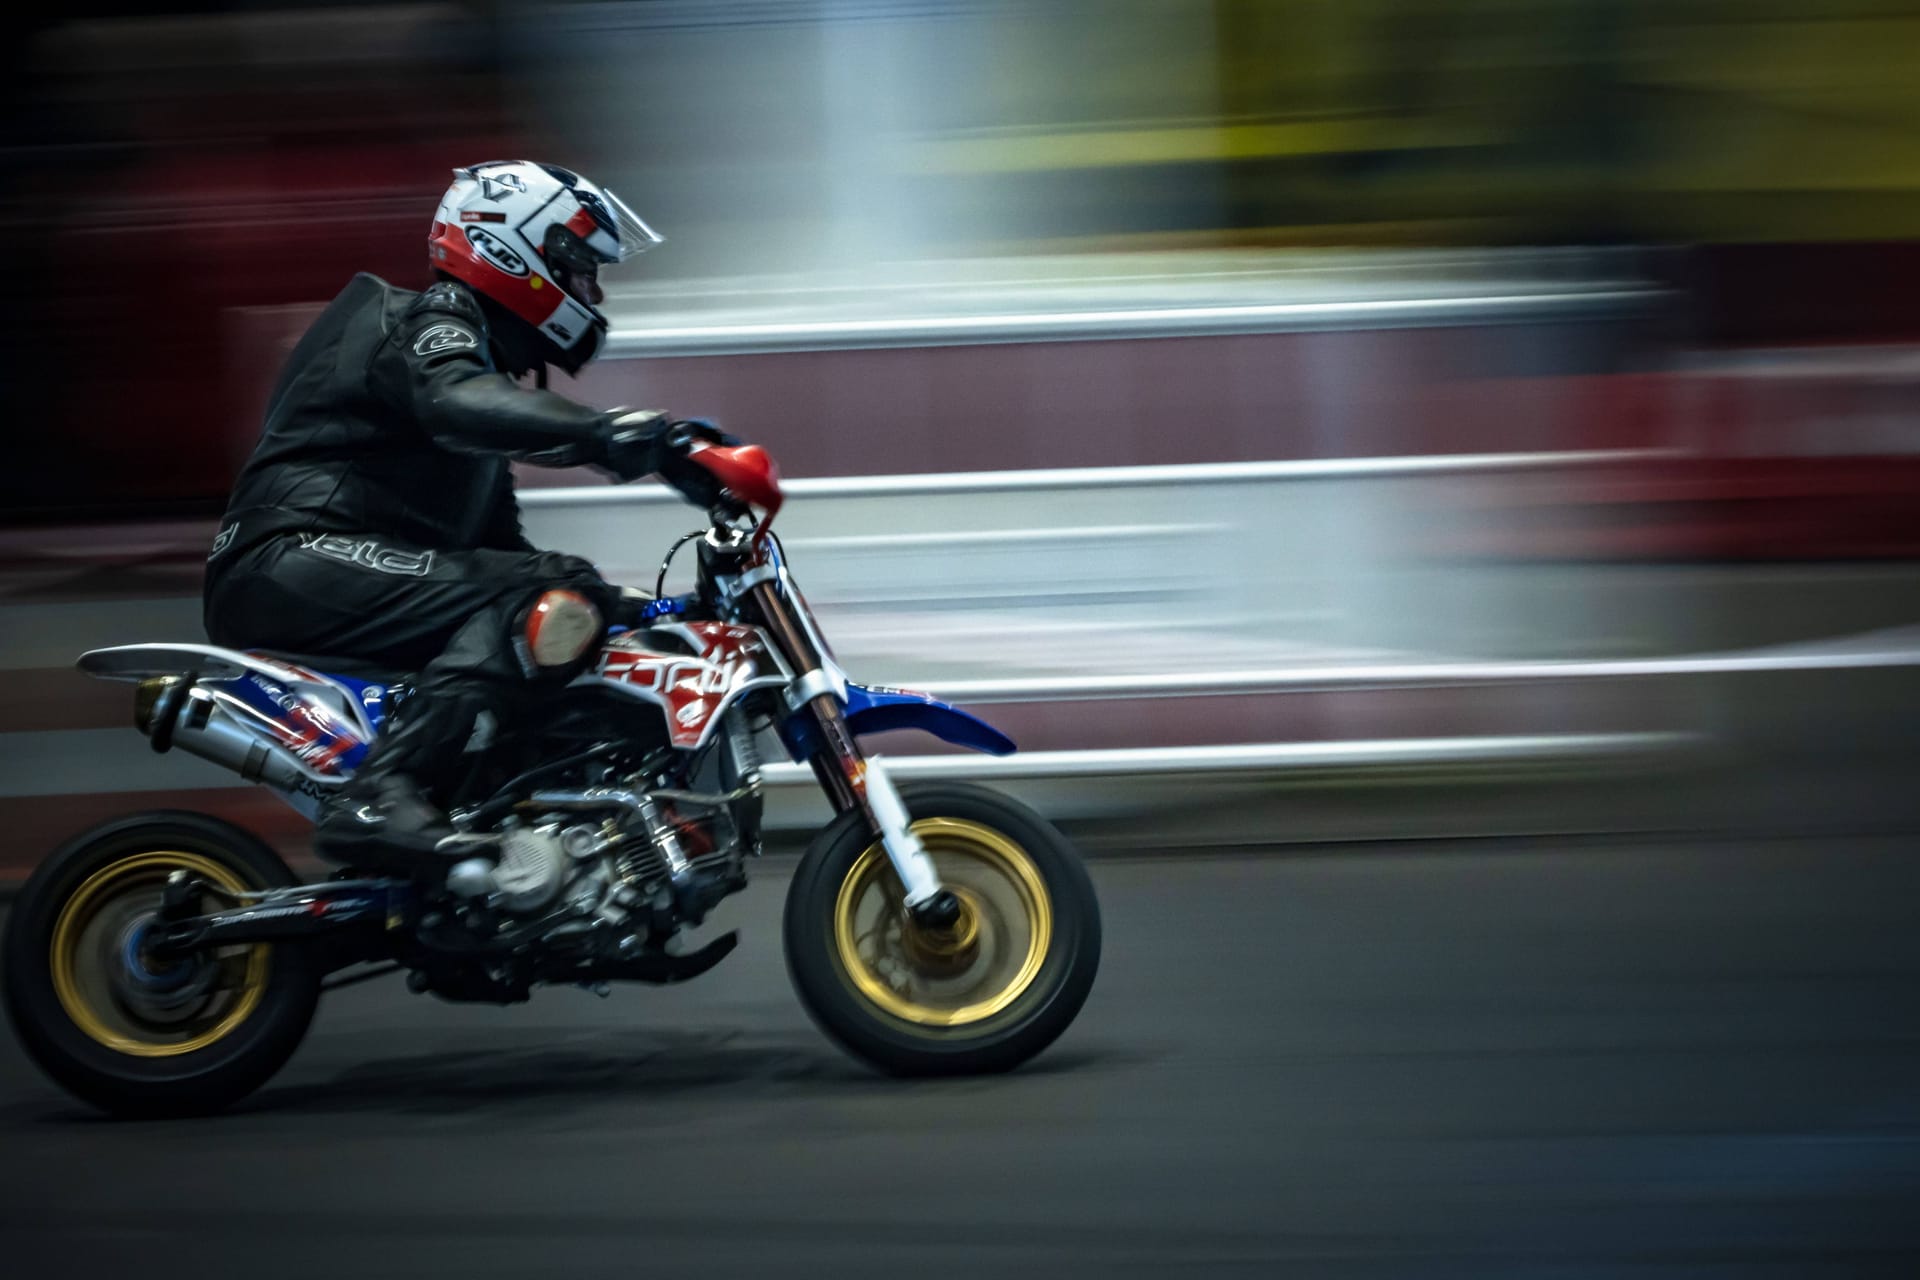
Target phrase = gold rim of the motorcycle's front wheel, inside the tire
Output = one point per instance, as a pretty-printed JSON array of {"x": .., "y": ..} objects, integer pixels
[{"x": 1007, "y": 922}]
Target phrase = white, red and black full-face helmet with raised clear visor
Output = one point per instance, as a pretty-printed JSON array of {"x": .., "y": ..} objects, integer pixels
[{"x": 531, "y": 239}]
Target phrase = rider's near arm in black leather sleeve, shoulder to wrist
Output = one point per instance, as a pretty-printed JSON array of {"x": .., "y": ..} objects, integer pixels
[{"x": 435, "y": 367}]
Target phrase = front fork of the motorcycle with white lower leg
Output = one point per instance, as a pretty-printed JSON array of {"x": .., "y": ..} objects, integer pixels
[{"x": 852, "y": 780}]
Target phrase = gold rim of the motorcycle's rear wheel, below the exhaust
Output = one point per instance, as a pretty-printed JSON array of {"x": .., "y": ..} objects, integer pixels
[{"x": 74, "y": 945}]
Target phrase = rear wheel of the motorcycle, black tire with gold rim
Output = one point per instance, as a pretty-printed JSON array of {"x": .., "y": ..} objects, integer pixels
[{"x": 139, "y": 1037}]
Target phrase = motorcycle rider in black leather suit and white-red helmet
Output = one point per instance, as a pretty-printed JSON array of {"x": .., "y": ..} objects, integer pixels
[{"x": 377, "y": 515}]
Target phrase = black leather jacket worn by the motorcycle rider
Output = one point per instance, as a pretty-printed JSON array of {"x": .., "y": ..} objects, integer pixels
[{"x": 393, "y": 417}]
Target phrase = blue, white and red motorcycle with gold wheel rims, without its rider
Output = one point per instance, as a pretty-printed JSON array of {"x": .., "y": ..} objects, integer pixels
[{"x": 172, "y": 962}]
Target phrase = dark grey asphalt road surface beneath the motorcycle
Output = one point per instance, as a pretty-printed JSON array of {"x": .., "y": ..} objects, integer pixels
[{"x": 1577, "y": 1060}]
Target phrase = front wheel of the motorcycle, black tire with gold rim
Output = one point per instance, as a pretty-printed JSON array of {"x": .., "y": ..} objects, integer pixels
[{"x": 984, "y": 995}]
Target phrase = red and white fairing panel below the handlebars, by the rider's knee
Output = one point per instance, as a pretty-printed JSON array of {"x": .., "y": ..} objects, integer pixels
[{"x": 692, "y": 690}]
